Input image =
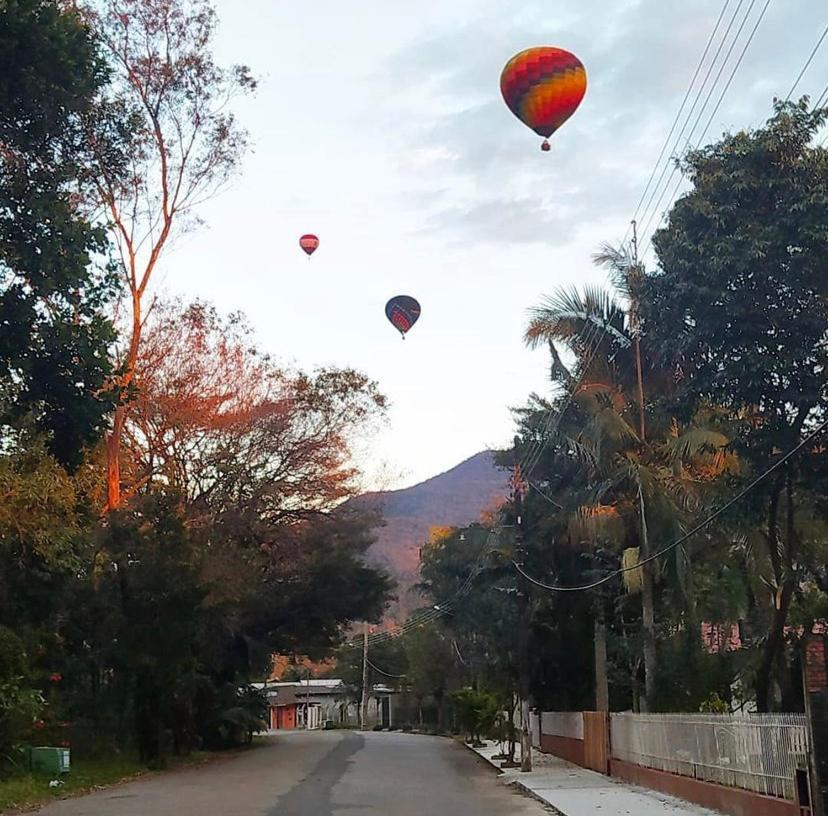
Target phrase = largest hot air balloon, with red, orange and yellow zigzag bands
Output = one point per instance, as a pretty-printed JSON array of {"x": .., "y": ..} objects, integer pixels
[{"x": 543, "y": 87}]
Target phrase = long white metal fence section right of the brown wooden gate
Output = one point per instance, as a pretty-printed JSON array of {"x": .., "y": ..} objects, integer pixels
[{"x": 757, "y": 752}]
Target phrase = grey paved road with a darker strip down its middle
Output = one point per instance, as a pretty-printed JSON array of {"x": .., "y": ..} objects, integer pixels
[{"x": 321, "y": 773}]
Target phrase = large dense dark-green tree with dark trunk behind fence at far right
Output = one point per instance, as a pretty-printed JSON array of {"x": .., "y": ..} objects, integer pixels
[{"x": 738, "y": 310}]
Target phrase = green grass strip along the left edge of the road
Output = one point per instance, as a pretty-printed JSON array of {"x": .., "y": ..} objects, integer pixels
[{"x": 23, "y": 791}]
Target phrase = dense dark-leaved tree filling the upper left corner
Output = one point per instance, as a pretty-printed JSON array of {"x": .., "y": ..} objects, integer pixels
[{"x": 54, "y": 335}]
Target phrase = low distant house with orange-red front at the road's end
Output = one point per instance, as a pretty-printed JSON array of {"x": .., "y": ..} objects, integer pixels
[{"x": 314, "y": 703}]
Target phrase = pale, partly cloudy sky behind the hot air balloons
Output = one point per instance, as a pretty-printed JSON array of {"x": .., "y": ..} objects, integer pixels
[{"x": 379, "y": 126}]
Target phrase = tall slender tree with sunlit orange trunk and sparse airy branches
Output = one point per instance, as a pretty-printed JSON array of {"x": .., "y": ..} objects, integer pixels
[{"x": 185, "y": 146}]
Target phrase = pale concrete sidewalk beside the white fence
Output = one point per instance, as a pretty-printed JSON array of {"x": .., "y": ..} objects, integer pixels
[{"x": 574, "y": 791}]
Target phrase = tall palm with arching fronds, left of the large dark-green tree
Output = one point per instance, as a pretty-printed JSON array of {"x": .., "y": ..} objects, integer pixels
[{"x": 637, "y": 485}]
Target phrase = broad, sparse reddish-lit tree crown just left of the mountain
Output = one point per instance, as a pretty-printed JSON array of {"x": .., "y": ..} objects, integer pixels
[{"x": 223, "y": 424}]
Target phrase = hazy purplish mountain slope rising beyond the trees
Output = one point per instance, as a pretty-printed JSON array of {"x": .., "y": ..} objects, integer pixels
[{"x": 454, "y": 498}]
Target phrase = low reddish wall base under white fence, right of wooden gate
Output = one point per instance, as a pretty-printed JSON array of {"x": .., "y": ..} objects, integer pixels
[{"x": 727, "y": 800}]
